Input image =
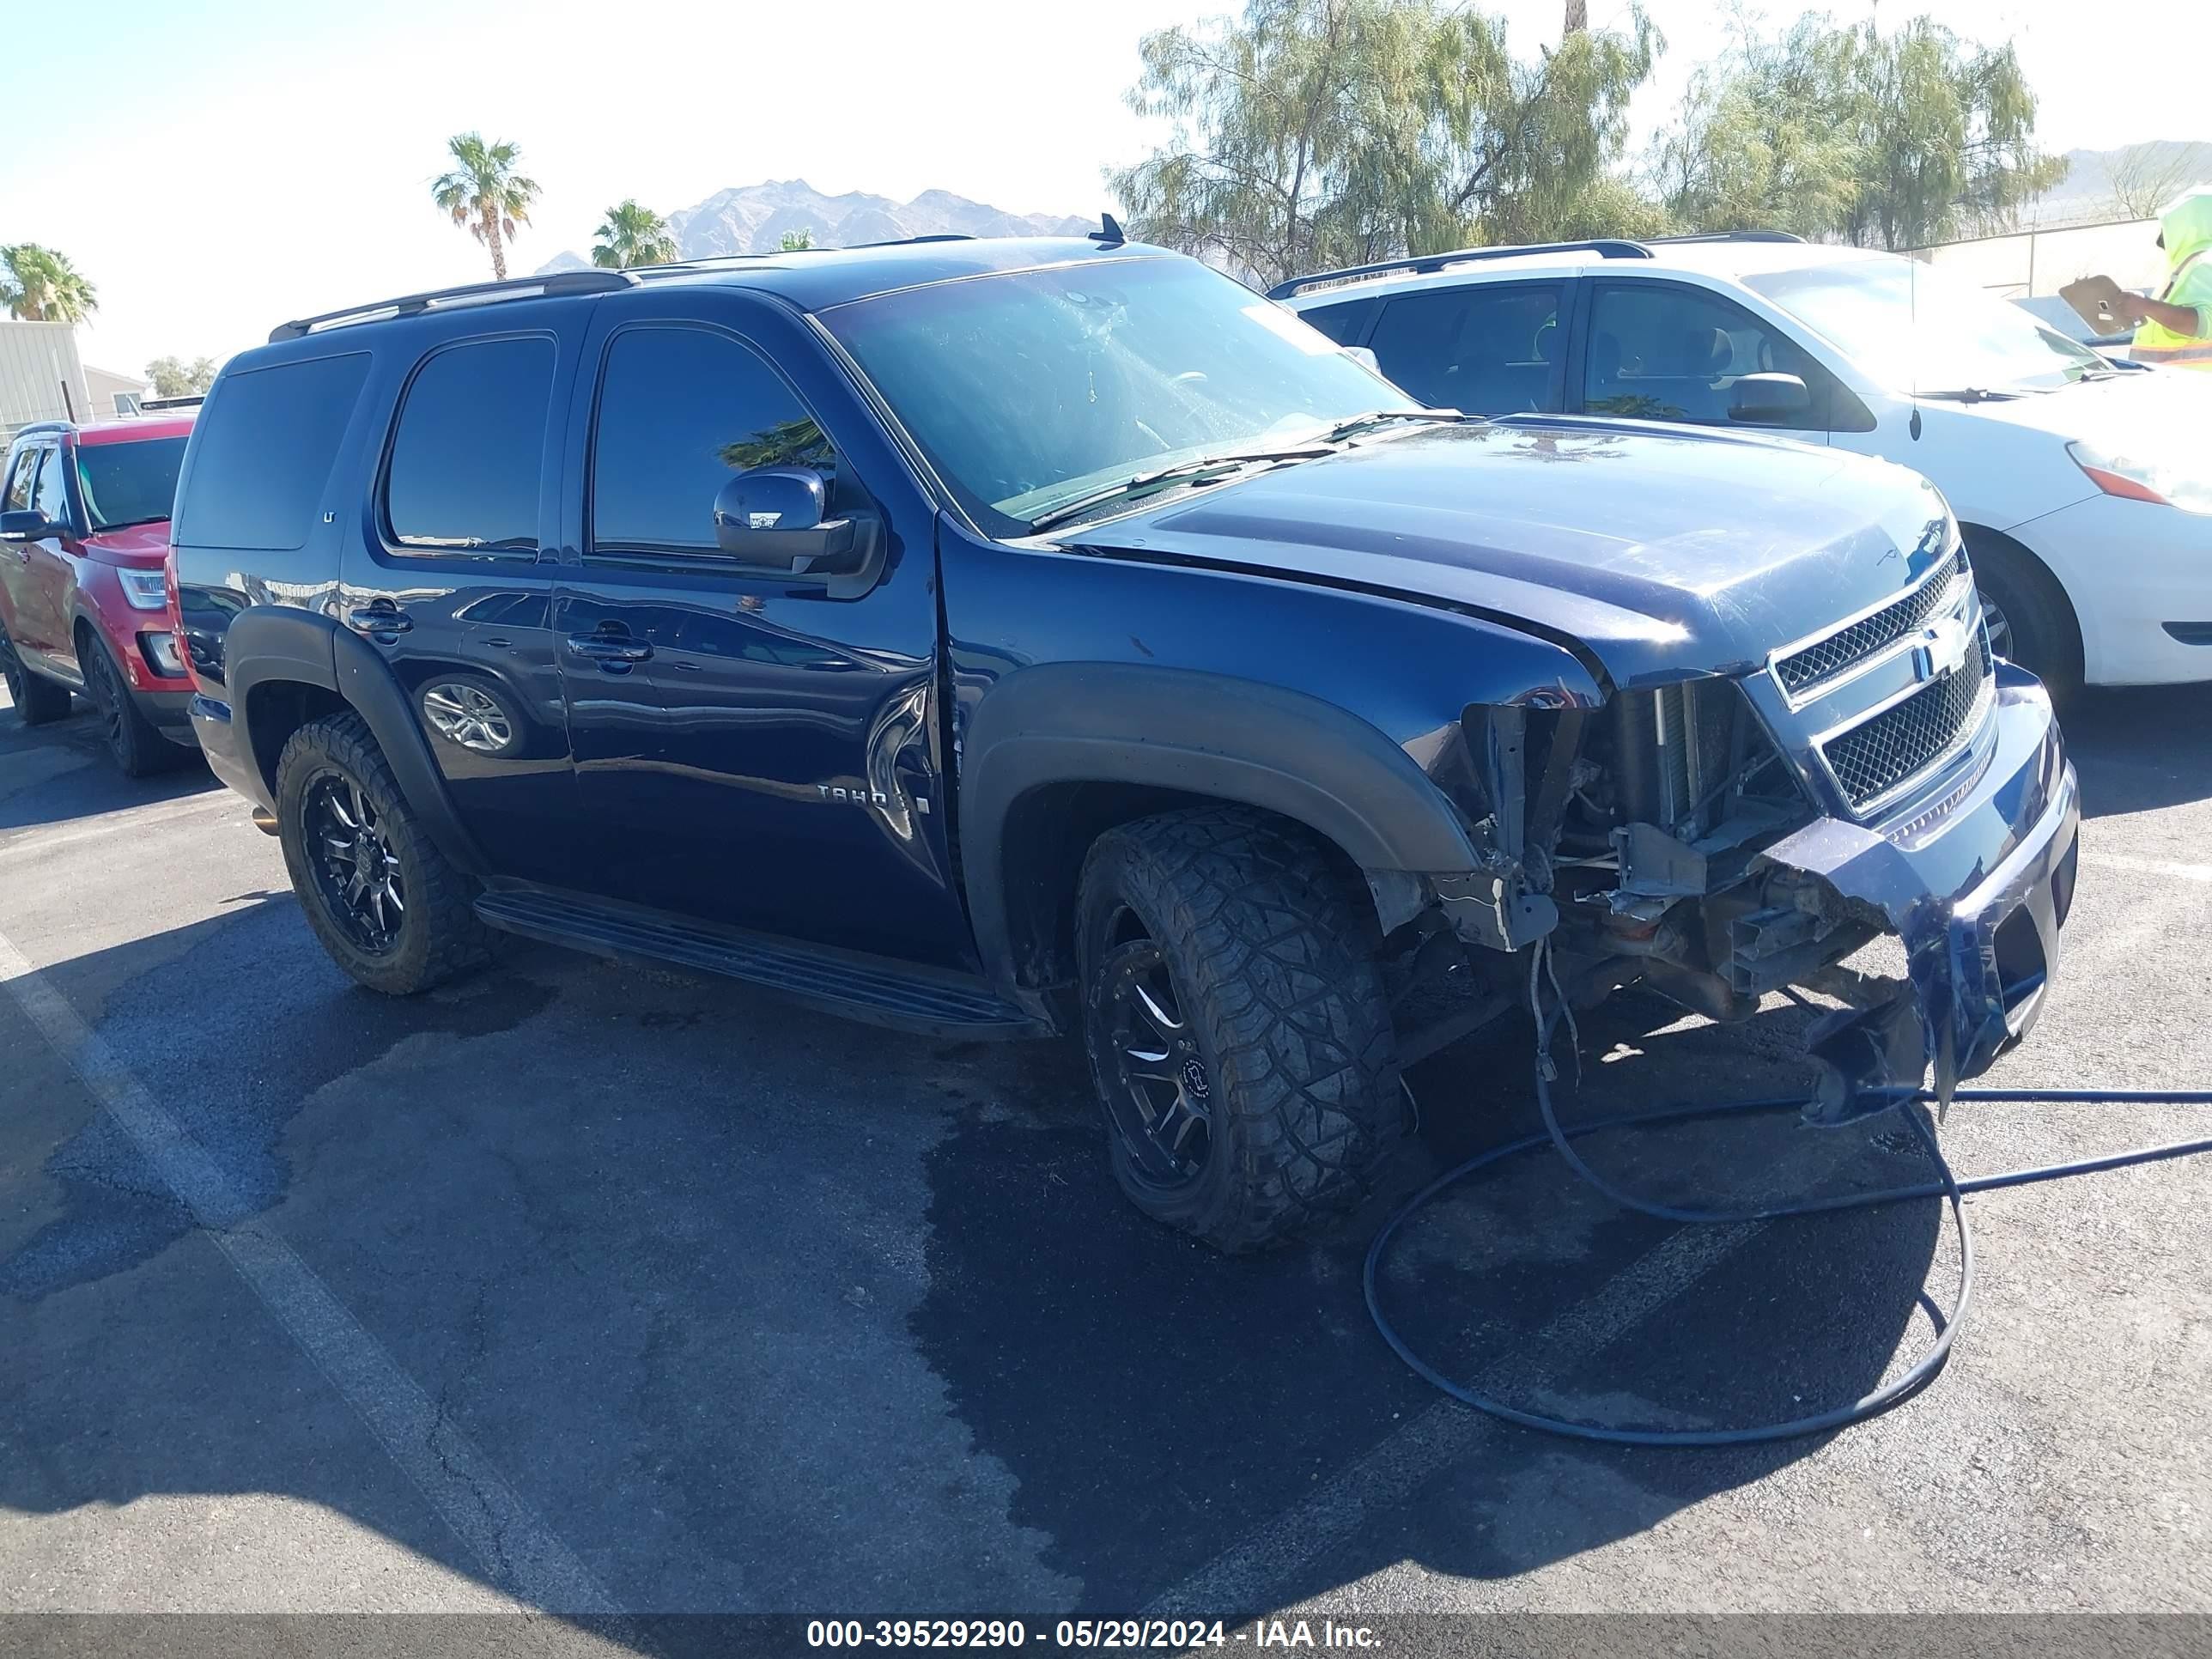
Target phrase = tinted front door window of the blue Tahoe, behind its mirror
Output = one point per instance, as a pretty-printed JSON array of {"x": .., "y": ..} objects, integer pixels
[{"x": 680, "y": 410}]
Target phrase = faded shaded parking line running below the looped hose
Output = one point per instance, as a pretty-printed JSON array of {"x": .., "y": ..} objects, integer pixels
[{"x": 1240, "y": 1580}]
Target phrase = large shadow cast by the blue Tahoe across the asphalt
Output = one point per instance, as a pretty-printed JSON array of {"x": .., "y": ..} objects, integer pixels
[{"x": 762, "y": 1315}]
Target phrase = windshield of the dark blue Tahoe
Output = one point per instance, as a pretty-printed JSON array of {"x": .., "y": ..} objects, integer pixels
[{"x": 1034, "y": 388}]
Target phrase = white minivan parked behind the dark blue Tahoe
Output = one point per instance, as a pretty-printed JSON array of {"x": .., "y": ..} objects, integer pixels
[{"x": 2085, "y": 488}]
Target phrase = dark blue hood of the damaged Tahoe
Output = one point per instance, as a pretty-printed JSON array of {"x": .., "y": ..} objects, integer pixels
[{"x": 1660, "y": 554}]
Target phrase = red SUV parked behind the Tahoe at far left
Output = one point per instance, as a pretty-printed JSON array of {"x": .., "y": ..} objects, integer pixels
[{"x": 83, "y": 589}]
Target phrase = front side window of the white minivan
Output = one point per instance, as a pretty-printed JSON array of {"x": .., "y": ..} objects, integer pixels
[{"x": 1669, "y": 353}]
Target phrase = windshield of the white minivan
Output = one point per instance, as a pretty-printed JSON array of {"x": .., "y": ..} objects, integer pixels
[{"x": 1919, "y": 331}]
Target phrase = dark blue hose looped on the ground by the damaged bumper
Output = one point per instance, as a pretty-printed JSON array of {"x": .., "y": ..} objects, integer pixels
[{"x": 1948, "y": 1187}]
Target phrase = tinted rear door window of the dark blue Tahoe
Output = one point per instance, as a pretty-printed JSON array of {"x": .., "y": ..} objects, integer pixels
[{"x": 470, "y": 448}]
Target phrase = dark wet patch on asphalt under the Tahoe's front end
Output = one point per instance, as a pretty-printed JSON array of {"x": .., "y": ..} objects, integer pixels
[{"x": 1189, "y": 1428}]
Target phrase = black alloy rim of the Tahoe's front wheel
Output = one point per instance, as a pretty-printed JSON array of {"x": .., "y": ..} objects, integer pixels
[{"x": 1162, "y": 1096}]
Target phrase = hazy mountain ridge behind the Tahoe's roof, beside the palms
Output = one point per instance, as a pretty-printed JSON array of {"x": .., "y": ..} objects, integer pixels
[{"x": 755, "y": 218}]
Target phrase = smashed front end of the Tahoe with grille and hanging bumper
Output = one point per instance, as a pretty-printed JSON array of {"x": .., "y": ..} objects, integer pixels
[{"x": 1729, "y": 837}]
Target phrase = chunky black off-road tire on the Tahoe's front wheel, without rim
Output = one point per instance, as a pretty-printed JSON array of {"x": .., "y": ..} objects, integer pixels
[{"x": 1275, "y": 959}]
